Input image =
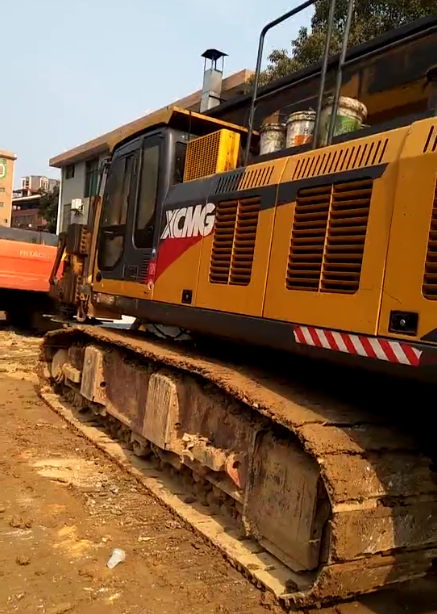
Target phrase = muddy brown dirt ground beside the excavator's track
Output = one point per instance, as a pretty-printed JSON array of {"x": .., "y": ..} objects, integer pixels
[{"x": 64, "y": 506}]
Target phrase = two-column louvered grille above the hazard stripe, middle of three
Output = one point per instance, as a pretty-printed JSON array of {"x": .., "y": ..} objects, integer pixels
[{"x": 328, "y": 237}]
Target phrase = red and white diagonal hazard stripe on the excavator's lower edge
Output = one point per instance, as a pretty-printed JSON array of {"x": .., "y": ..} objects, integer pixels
[{"x": 372, "y": 347}]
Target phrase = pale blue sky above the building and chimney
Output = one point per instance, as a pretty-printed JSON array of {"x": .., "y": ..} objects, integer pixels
[{"x": 81, "y": 68}]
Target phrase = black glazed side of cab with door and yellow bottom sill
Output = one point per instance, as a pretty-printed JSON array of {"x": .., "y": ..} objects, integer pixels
[{"x": 128, "y": 225}]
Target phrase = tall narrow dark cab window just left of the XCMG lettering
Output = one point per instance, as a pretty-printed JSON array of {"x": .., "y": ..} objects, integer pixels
[{"x": 148, "y": 192}]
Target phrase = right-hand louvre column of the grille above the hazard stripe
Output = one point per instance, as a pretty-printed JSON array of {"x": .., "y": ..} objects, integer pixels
[{"x": 347, "y": 228}]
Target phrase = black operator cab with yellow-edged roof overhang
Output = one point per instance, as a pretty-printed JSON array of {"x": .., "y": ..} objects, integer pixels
[{"x": 143, "y": 168}]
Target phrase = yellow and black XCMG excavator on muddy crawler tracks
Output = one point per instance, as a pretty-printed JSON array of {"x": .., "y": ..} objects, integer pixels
[{"x": 304, "y": 285}]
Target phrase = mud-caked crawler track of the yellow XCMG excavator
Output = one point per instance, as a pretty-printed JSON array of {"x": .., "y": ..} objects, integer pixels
[{"x": 321, "y": 500}]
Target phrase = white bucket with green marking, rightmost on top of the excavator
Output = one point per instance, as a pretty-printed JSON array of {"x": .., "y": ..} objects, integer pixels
[{"x": 351, "y": 114}]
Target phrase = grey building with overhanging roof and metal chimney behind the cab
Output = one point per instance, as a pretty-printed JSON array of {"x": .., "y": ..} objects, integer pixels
[{"x": 80, "y": 166}]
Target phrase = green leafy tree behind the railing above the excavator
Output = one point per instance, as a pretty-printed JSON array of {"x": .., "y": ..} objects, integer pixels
[{"x": 370, "y": 18}]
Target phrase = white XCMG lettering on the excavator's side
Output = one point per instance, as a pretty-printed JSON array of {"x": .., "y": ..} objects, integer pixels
[{"x": 189, "y": 222}]
